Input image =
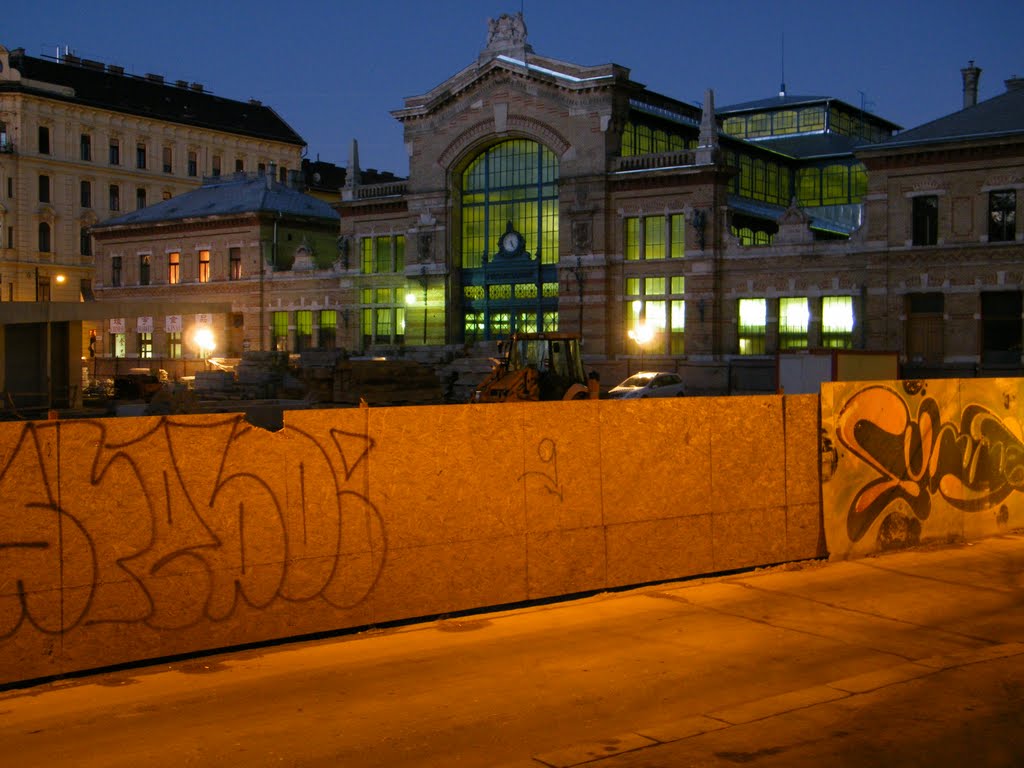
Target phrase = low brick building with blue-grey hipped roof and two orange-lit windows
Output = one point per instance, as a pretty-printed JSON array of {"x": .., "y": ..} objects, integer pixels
[{"x": 243, "y": 264}]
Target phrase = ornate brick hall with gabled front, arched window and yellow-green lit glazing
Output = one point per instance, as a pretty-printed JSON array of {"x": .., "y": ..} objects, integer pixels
[{"x": 549, "y": 196}]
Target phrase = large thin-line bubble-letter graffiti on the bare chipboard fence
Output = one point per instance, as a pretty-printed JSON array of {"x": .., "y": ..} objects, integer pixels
[{"x": 181, "y": 524}]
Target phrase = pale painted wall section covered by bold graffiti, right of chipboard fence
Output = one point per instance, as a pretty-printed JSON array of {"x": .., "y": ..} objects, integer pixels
[{"x": 917, "y": 461}]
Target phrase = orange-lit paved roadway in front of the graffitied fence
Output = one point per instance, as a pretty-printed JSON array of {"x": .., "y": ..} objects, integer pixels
[{"x": 913, "y": 659}]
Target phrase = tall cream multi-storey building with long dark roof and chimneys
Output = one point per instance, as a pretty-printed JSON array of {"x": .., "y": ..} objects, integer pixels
[{"x": 82, "y": 142}]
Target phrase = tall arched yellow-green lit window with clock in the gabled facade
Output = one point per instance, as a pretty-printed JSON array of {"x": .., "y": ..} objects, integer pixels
[{"x": 513, "y": 186}]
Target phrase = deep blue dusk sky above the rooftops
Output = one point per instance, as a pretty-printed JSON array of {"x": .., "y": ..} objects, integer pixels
[{"x": 335, "y": 71}]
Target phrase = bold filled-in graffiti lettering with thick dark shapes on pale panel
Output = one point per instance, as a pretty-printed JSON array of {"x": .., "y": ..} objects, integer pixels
[{"x": 973, "y": 466}]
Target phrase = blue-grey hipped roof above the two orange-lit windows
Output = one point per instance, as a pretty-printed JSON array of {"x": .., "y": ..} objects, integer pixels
[{"x": 226, "y": 196}]
